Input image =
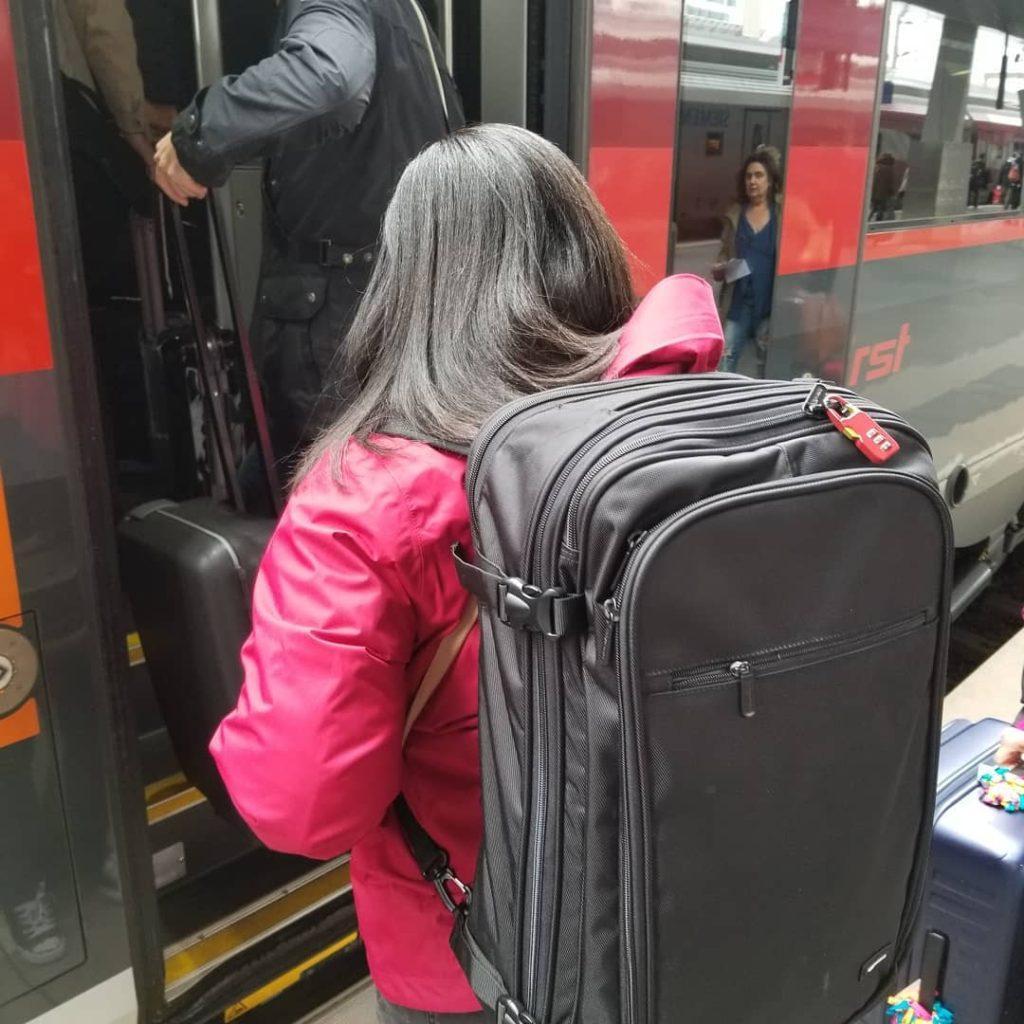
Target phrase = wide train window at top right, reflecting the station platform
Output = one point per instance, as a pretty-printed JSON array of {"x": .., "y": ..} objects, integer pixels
[{"x": 950, "y": 126}]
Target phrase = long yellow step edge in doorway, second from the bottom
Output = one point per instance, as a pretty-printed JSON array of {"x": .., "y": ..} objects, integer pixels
[{"x": 223, "y": 943}]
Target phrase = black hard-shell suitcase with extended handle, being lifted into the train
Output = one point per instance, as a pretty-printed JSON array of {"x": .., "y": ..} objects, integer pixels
[{"x": 189, "y": 568}]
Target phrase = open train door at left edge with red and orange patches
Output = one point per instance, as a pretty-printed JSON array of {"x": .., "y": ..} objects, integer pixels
[{"x": 61, "y": 931}]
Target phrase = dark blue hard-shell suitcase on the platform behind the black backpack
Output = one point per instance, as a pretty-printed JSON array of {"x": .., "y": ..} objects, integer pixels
[{"x": 975, "y": 893}]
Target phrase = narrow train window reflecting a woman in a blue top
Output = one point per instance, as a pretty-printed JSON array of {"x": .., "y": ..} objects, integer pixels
[{"x": 736, "y": 99}]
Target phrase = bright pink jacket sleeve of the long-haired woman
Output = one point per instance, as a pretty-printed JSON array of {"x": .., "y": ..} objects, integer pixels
[{"x": 312, "y": 756}]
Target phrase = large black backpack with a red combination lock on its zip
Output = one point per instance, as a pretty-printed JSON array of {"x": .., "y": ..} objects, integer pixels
[{"x": 715, "y": 616}]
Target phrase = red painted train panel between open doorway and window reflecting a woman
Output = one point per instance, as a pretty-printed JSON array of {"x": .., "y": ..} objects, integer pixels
[{"x": 634, "y": 90}]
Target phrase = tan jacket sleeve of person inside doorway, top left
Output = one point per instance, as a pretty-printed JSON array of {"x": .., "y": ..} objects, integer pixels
[{"x": 108, "y": 40}]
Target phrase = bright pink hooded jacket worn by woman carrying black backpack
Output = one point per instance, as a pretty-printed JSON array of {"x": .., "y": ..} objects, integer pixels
[{"x": 356, "y": 590}]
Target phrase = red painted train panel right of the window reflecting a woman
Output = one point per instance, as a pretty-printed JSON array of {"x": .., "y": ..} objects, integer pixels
[{"x": 838, "y": 52}]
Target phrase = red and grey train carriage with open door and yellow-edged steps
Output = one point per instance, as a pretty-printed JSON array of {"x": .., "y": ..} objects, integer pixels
[{"x": 160, "y": 910}]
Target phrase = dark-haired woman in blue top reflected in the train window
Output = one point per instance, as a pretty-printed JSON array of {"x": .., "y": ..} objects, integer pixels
[{"x": 747, "y": 260}]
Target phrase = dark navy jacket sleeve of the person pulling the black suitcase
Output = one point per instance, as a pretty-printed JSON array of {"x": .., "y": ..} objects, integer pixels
[{"x": 326, "y": 64}]
